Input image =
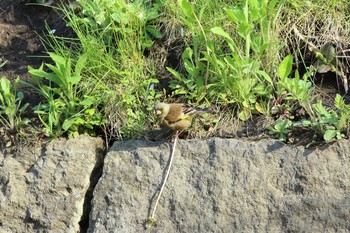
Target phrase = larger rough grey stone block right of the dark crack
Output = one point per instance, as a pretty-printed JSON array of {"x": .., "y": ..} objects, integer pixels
[{"x": 224, "y": 185}]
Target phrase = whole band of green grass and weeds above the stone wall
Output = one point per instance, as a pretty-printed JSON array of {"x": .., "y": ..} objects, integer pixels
[{"x": 247, "y": 58}]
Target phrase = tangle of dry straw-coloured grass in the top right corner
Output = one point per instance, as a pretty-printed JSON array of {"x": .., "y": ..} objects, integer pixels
[{"x": 316, "y": 32}]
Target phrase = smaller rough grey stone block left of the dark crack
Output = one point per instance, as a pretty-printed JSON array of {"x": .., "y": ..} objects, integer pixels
[{"x": 43, "y": 188}]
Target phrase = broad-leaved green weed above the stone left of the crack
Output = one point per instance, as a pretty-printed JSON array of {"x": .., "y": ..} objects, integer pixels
[{"x": 70, "y": 108}]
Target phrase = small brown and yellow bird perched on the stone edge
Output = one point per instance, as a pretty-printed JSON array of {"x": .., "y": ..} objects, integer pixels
[{"x": 177, "y": 117}]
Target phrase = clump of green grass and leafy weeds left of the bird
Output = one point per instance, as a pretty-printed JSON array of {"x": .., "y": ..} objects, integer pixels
[{"x": 115, "y": 82}]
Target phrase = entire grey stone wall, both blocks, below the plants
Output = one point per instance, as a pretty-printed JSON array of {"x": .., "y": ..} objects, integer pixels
[{"x": 215, "y": 185}]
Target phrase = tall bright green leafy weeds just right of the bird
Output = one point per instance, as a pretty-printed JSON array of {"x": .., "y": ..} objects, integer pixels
[{"x": 231, "y": 56}]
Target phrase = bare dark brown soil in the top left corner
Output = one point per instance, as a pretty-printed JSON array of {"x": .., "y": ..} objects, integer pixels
[{"x": 21, "y": 27}]
